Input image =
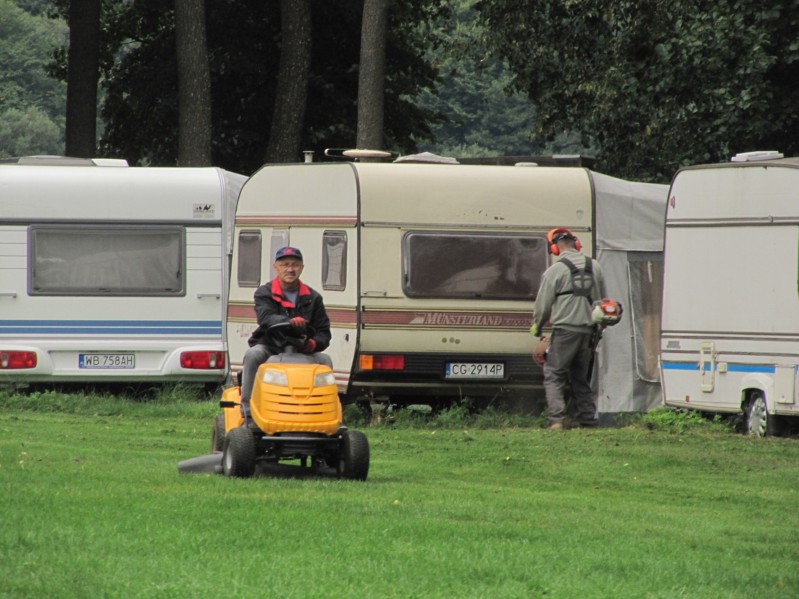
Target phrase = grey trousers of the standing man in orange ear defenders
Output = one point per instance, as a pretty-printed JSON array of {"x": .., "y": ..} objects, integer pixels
[{"x": 567, "y": 368}]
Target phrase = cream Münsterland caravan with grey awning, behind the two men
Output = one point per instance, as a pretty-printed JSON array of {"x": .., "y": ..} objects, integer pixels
[{"x": 429, "y": 271}]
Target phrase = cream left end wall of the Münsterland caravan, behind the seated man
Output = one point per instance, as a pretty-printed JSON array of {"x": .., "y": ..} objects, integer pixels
[{"x": 312, "y": 207}]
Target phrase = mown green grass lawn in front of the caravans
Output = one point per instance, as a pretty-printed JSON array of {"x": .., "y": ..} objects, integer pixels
[{"x": 93, "y": 505}]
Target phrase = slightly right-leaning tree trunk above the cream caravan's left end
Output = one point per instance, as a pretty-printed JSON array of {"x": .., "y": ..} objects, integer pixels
[{"x": 292, "y": 82}]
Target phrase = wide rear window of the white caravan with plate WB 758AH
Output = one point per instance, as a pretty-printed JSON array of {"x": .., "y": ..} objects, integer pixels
[{"x": 106, "y": 260}]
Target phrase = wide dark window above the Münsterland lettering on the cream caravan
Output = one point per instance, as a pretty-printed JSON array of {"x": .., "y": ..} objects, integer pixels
[{"x": 472, "y": 265}]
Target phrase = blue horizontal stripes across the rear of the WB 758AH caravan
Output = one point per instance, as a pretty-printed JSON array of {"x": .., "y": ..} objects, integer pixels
[{"x": 110, "y": 327}]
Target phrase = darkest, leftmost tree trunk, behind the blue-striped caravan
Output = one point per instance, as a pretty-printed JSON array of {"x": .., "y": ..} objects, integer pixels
[{"x": 82, "y": 73}]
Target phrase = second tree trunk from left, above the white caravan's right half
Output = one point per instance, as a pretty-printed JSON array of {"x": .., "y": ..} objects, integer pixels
[{"x": 194, "y": 84}]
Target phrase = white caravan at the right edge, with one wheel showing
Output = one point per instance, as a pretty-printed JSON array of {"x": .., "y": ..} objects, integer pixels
[{"x": 730, "y": 325}]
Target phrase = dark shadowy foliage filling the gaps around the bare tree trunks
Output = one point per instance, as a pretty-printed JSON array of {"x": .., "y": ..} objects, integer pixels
[{"x": 243, "y": 36}]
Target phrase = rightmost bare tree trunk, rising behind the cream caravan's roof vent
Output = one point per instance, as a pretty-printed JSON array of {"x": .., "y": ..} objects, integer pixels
[{"x": 372, "y": 74}]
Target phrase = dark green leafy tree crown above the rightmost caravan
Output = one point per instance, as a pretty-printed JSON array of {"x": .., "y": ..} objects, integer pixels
[{"x": 655, "y": 85}]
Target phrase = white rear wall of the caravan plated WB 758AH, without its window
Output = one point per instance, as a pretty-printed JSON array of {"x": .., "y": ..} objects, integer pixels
[{"x": 130, "y": 338}]
